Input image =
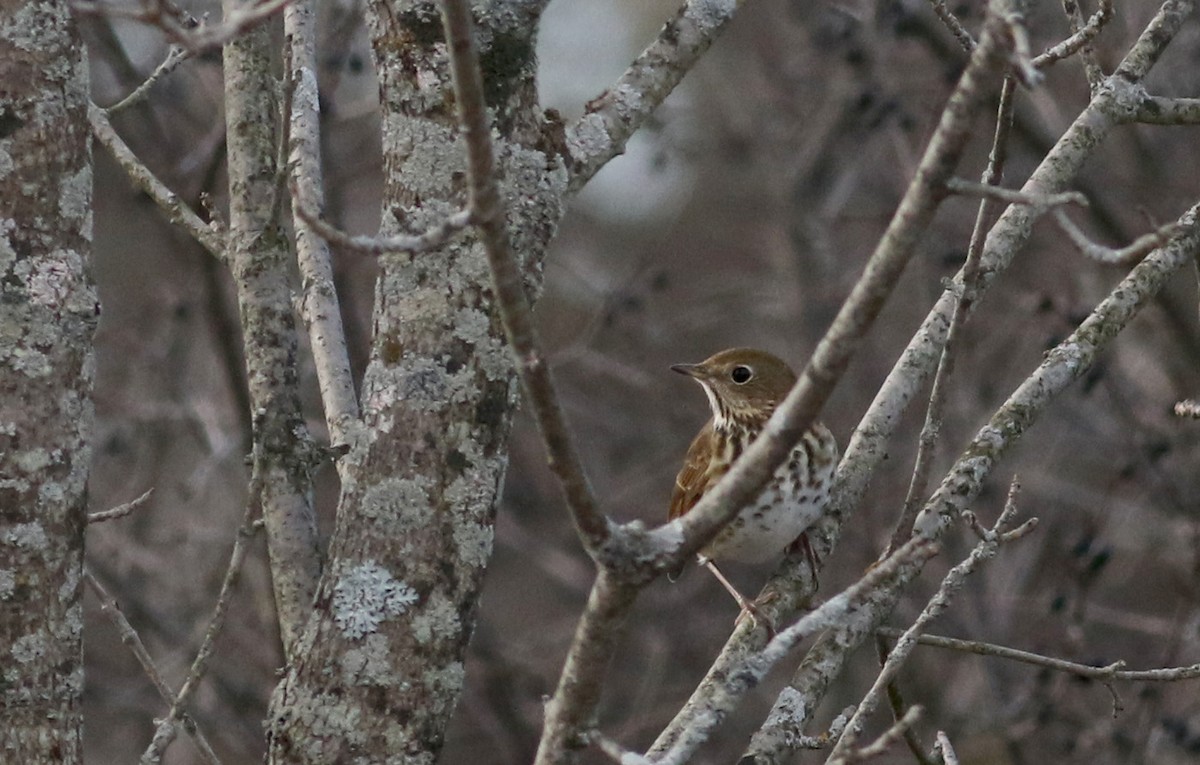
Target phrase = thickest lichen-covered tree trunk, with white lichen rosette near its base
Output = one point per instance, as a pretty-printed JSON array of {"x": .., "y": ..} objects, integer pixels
[{"x": 380, "y": 668}]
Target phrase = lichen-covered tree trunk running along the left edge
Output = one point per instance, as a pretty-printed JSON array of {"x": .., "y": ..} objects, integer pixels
[{"x": 49, "y": 314}]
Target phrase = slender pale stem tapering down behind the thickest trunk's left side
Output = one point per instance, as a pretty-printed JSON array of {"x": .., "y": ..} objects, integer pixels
[{"x": 319, "y": 302}]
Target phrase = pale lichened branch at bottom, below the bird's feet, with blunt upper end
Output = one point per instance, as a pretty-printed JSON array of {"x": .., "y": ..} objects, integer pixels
[{"x": 749, "y": 673}]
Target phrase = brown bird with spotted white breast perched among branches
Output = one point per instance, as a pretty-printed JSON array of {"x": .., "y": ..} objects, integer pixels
[{"x": 745, "y": 387}]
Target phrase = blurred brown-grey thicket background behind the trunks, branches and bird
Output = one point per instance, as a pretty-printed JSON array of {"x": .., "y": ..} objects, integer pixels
[{"x": 741, "y": 216}]
